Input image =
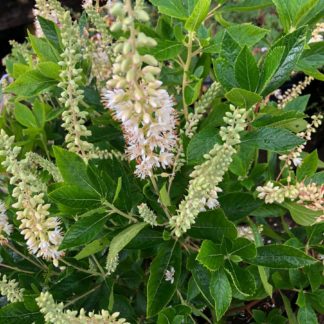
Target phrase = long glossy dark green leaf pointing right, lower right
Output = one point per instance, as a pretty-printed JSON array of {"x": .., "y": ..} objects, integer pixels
[{"x": 281, "y": 257}]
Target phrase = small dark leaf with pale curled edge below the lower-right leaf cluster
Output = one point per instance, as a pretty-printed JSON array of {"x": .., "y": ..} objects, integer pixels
[{"x": 242, "y": 278}]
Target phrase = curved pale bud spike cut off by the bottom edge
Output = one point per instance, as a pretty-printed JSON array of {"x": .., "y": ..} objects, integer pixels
[{"x": 55, "y": 314}]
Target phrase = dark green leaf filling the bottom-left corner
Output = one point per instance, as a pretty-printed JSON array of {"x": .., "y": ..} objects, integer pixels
[{"x": 16, "y": 313}]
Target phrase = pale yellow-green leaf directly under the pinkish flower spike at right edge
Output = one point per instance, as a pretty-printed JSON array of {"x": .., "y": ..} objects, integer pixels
[{"x": 302, "y": 215}]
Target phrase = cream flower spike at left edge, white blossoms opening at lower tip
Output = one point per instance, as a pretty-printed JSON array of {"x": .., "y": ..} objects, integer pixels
[{"x": 42, "y": 232}]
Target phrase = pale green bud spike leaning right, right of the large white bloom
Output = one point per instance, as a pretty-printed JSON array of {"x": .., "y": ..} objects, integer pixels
[{"x": 203, "y": 187}]
